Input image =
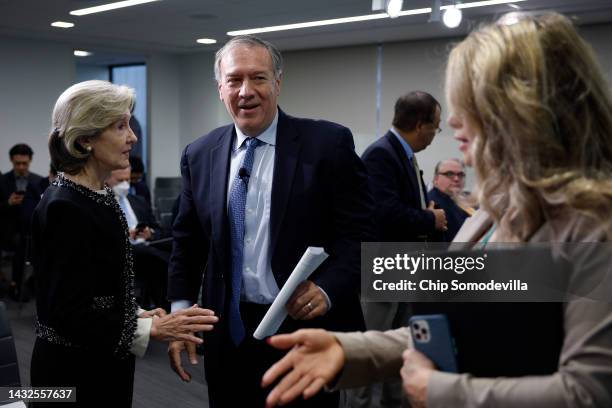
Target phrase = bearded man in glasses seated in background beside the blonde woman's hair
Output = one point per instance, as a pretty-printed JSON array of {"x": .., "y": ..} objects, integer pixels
[{"x": 449, "y": 181}]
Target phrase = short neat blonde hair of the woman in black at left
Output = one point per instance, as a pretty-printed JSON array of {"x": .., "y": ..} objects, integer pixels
[{"x": 83, "y": 111}]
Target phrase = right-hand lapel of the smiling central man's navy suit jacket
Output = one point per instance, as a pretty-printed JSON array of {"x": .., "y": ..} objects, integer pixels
[{"x": 285, "y": 161}]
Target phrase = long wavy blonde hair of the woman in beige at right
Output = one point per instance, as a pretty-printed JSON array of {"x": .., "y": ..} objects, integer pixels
[{"x": 544, "y": 112}]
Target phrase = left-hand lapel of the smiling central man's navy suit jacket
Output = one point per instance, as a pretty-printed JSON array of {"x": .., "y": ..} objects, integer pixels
[{"x": 219, "y": 172}]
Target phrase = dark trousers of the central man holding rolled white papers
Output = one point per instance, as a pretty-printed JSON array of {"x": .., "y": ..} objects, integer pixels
[{"x": 234, "y": 373}]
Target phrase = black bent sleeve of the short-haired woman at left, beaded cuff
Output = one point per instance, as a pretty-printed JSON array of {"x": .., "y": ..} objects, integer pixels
[{"x": 69, "y": 290}]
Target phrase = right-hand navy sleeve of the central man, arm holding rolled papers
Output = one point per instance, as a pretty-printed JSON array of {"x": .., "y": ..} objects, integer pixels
[{"x": 352, "y": 206}]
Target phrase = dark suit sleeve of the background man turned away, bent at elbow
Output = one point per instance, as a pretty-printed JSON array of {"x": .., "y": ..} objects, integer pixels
[{"x": 391, "y": 212}]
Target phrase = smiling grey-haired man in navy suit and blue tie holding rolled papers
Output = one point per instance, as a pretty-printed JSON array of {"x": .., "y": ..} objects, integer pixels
[{"x": 256, "y": 194}]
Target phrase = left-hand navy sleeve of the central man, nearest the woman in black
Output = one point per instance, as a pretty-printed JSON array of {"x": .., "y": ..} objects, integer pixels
[{"x": 190, "y": 245}]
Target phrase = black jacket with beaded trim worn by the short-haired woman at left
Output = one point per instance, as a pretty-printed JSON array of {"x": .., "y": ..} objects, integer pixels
[{"x": 83, "y": 265}]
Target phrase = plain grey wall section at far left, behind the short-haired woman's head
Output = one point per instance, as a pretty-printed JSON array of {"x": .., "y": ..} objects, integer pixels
[{"x": 32, "y": 76}]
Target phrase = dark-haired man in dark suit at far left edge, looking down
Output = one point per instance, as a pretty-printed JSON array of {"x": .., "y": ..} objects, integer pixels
[{"x": 19, "y": 194}]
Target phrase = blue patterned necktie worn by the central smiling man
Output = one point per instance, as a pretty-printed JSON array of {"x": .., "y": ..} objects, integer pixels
[{"x": 237, "y": 203}]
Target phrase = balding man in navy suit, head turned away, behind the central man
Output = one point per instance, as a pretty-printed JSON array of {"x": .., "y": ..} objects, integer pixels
[{"x": 403, "y": 212}]
